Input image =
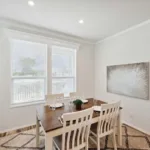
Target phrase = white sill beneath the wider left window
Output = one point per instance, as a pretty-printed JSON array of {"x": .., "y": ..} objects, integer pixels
[{"x": 15, "y": 105}]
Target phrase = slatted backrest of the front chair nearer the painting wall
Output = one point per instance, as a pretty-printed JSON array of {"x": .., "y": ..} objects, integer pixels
[{"x": 108, "y": 117}]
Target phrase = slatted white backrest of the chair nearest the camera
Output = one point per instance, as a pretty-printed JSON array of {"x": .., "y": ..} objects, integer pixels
[{"x": 76, "y": 127}]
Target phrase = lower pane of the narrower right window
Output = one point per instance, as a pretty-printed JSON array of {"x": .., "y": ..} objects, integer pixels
[{"x": 63, "y": 86}]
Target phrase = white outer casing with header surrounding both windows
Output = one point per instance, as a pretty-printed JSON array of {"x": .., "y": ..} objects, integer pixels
[{"x": 31, "y": 37}]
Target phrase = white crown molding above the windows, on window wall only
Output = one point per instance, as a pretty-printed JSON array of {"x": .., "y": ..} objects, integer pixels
[{"x": 21, "y": 26}]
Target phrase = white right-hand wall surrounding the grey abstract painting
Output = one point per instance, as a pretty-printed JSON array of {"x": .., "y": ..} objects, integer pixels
[{"x": 129, "y": 47}]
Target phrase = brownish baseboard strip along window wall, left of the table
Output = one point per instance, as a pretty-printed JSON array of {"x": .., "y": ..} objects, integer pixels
[{"x": 17, "y": 130}]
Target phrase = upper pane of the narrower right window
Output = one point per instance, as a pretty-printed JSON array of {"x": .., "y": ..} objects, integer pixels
[{"x": 63, "y": 62}]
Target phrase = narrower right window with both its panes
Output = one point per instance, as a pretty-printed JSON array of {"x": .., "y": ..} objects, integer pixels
[{"x": 63, "y": 70}]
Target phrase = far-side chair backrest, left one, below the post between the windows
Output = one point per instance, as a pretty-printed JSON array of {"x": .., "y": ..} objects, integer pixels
[{"x": 51, "y": 98}]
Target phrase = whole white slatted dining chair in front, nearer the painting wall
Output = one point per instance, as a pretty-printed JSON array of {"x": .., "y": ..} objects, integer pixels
[{"x": 107, "y": 123}]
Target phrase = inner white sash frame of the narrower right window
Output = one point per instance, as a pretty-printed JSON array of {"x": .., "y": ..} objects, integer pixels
[{"x": 74, "y": 77}]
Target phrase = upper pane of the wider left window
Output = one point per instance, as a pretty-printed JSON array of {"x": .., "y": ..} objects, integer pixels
[{"x": 28, "y": 58}]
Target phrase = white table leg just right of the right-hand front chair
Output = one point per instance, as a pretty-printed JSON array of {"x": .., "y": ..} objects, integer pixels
[{"x": 119, "y": 128}]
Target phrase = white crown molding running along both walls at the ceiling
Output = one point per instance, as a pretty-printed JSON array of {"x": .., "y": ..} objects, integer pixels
[{"x": 20, "y": 26}]
